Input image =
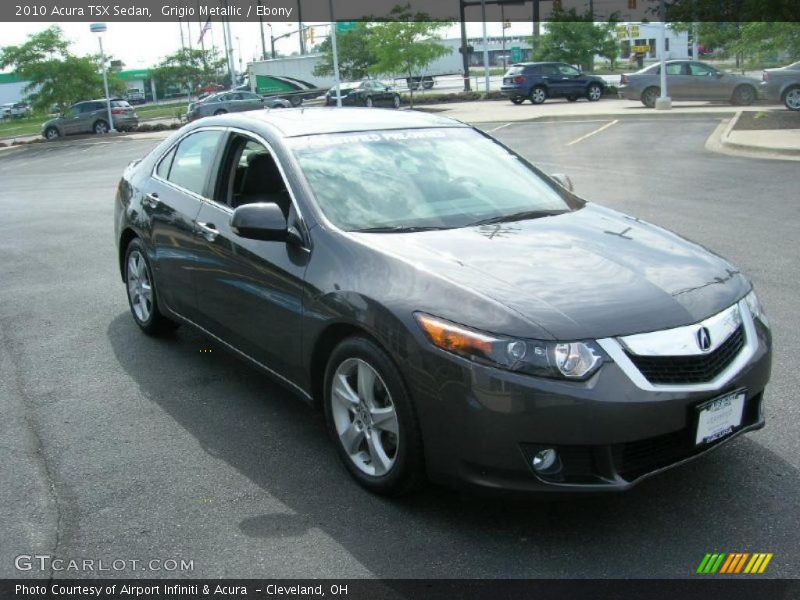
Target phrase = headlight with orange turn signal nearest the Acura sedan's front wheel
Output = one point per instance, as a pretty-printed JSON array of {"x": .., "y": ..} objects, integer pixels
[{"x": 564, "y": 360}]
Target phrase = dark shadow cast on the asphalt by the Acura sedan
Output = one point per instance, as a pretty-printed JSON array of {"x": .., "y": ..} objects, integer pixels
[{"x": 742, "y": 497}]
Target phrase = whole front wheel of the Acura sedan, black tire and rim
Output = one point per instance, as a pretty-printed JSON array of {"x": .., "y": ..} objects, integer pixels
[{"x": 387, "y": 458}]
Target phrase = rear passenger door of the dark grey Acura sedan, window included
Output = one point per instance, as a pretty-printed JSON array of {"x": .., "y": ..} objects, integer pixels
[{"x": 173, "y": 196}]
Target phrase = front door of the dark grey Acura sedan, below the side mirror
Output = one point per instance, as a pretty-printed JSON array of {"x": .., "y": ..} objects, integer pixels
[{"x": 250, "y": 292}]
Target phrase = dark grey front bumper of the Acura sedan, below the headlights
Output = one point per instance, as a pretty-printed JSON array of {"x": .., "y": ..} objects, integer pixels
[{"x": 482, "y": 425}]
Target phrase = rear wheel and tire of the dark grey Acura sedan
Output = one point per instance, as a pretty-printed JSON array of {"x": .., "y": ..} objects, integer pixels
[{"x": 139, "y": 275}]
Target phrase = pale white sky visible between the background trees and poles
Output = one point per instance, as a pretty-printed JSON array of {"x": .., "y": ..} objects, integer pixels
[{"x": 141, "y": 45}]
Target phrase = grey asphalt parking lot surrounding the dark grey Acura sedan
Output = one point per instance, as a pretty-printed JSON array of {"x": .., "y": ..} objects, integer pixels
[{"x": 118, "y": 446}]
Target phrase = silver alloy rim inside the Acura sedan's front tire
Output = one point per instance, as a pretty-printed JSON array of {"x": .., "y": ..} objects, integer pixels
[{"x": 364, "y": 416}]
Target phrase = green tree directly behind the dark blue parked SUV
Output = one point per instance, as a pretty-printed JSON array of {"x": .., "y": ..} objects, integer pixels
[{"x": 576, "y": 39}]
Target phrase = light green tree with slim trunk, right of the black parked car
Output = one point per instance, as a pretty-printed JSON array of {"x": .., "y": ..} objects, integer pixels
[{"x": 406, "y": 44}]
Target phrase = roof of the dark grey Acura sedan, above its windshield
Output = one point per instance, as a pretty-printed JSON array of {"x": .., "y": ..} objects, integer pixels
[{"x": 294, "y": 122}]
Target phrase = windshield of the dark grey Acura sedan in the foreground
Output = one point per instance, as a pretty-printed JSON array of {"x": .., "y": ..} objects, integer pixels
[{"x": 404, "y": 180}]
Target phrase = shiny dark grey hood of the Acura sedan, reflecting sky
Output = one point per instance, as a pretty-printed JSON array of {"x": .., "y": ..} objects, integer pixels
[{"x": 591, "y": 273}]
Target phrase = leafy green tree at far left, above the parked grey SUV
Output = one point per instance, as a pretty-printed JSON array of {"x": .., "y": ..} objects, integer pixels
[{"x": 55, "y": 75}]
